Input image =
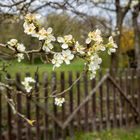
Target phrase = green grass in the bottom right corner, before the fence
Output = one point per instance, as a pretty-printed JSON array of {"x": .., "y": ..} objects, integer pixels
[{"x": 117, "y": 134}]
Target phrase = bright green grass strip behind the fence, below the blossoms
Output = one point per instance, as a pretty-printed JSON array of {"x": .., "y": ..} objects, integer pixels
[{"x": 26, "y": 67}]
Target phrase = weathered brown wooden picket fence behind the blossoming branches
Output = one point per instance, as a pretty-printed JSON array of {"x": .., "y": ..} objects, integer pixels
[{"x": 102, "y": 103}]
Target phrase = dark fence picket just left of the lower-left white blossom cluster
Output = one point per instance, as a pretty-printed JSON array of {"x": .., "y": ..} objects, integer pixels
[{"x": 19, "y": 109}]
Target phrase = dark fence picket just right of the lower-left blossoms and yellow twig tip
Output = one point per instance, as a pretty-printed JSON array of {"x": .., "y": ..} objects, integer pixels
[{"x": 37, "y": 111}]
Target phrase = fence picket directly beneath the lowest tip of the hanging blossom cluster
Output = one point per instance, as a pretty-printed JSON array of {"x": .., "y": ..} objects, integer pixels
[{"x": 93, "y": 84}]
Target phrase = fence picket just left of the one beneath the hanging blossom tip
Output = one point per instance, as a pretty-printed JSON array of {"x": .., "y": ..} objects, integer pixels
[{"x": 86, "y": 117}]
